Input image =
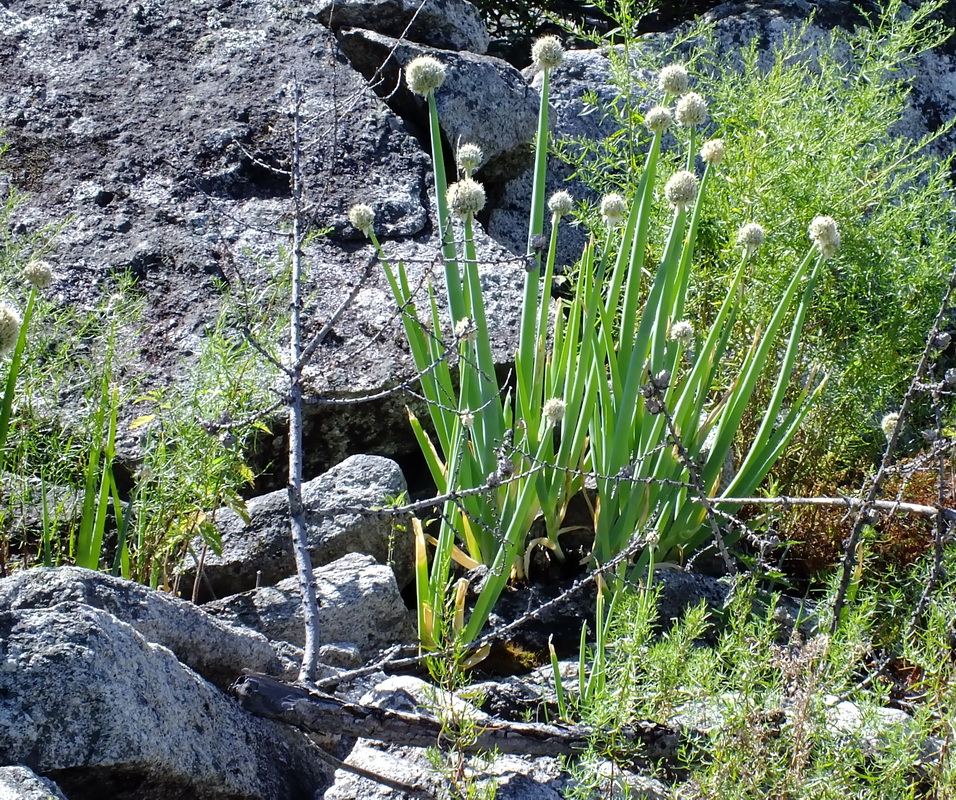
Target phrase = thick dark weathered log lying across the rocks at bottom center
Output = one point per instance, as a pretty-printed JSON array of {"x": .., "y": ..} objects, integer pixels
[{"x": 641, "y": 743}]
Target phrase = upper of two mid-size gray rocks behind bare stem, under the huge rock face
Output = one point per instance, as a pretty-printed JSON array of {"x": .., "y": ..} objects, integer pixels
[{"x": 260, "y": 553}]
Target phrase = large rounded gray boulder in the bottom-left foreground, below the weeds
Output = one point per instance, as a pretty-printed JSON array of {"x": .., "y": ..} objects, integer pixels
[{"x": 90, "y": 703}]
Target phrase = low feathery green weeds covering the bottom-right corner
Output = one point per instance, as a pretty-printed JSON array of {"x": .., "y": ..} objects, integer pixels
[{"x": 783, "y": 713}]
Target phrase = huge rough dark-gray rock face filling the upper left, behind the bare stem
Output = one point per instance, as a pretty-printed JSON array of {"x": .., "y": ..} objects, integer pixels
[{"x": 156, "y": 151}]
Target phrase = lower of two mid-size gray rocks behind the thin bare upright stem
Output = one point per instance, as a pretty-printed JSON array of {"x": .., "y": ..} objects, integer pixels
[{"x": 359, "y": 605}]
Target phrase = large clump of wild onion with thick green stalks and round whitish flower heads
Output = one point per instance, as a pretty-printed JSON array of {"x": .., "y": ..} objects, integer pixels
[{"x": 612, "y": 382}]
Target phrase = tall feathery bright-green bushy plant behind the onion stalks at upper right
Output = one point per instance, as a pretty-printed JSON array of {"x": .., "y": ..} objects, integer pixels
[{"x": 821, "y": 125}]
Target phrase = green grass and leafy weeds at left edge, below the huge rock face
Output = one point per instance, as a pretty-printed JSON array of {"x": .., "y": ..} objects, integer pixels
[{"x": 63, "y": 426}]
